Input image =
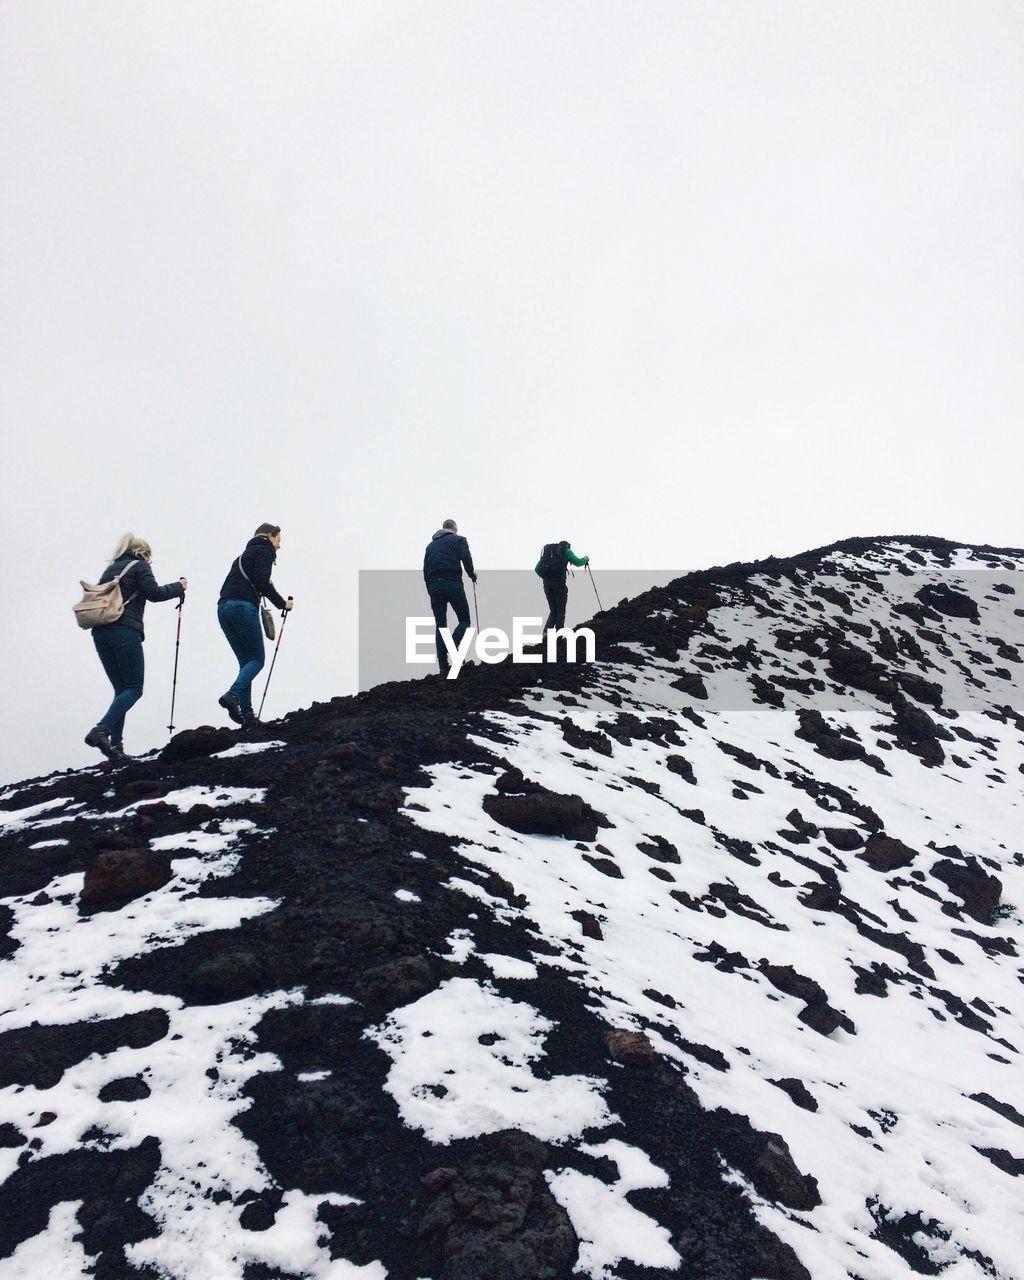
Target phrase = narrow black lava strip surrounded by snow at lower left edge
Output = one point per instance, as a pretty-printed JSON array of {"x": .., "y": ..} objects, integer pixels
[{"x": 39, "y": 1055}]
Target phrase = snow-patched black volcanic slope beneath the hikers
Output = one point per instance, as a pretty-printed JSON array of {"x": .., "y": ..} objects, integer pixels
[{"x": 701, "y": 961}]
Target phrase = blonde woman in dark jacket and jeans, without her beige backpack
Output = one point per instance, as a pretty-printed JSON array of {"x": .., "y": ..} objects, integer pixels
[{"x": 120, "y": 644}]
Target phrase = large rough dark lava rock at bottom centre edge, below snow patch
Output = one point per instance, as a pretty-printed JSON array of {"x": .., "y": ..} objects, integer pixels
[{"x": 493, "y": 1218}]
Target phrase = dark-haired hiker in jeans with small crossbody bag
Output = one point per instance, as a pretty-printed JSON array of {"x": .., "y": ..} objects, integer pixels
[{"x": 239, "y": 614}]
